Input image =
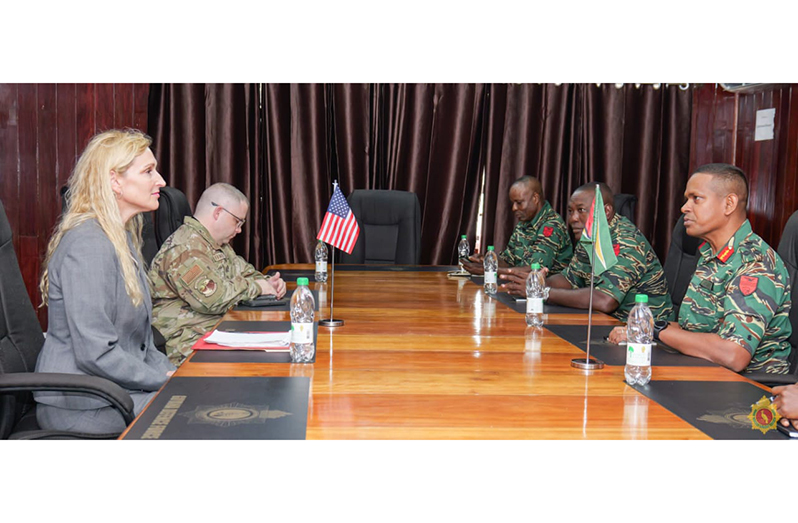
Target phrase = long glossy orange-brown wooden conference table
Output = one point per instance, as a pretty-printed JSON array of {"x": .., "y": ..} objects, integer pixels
[{"x": 422, "y": 356}]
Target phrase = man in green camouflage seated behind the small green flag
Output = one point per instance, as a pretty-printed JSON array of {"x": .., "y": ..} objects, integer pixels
[{"x": 637, "y": 271}]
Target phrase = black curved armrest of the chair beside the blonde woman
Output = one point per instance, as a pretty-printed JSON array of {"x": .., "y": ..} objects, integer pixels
[{"x": 59, "y": 382}]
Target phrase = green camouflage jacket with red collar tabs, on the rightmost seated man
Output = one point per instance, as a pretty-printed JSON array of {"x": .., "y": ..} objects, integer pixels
[{"x": 743, "y": 295}]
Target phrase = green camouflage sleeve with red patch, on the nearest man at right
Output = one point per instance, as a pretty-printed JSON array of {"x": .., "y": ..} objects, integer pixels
[{"x": 750, "y": 302}]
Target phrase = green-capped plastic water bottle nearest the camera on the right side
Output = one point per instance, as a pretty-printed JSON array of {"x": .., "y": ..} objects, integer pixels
[{"x": 639, "y": 333}]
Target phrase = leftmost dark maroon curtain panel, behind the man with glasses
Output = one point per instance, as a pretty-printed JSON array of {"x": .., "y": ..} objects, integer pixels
[{"x": 208, "y": 133}]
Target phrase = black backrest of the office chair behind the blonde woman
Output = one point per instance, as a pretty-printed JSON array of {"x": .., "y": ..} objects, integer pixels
[{"x": 21, "y": 336}]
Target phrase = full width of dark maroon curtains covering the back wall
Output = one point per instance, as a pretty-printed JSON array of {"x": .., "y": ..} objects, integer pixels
[{"x": 284, "y": 145}]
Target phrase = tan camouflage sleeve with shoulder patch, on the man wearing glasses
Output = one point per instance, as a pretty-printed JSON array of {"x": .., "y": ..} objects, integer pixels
[{"x": 201, "y": 283}]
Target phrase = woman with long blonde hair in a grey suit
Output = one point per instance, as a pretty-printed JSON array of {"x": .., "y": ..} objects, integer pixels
[{"x": 95, "y": 285}]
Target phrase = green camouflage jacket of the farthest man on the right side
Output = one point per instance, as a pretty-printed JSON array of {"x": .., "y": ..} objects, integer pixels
[{"x": 543, "y": 239}]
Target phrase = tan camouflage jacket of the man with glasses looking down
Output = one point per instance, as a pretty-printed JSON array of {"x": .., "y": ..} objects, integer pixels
[{"x": 194, "y": 281}]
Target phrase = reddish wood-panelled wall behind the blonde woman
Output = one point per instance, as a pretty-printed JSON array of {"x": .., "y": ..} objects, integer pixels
[{"x": 43, "y": 129}]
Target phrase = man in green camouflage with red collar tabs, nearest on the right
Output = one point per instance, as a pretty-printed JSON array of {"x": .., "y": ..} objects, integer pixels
[{"x": 736, "y": 309}]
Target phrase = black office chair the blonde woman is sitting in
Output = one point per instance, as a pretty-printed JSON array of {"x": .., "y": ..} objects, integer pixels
[{"x": 21, "y": 339}]
